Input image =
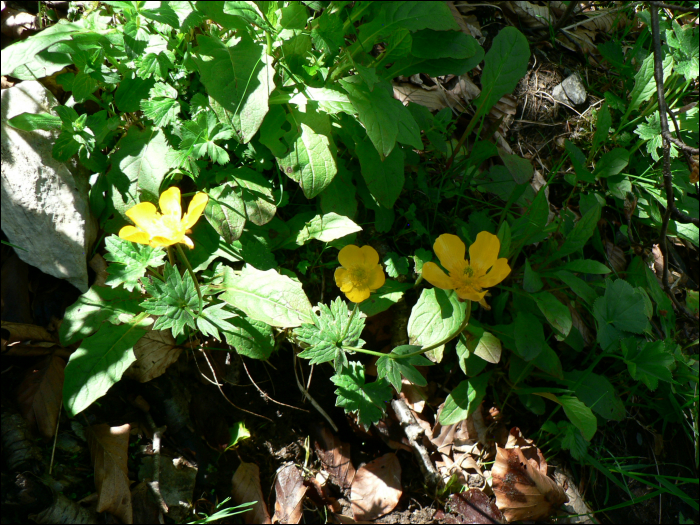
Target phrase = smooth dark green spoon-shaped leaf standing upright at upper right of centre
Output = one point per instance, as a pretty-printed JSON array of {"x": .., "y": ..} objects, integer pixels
[{"x": 505, "y": 64}]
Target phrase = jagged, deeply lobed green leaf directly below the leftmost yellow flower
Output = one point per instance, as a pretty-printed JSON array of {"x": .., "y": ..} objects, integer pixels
[{"x": 175, "y": 301}]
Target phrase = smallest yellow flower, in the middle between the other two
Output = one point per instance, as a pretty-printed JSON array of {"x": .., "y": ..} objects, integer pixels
[{"x": 360, "y": 274}]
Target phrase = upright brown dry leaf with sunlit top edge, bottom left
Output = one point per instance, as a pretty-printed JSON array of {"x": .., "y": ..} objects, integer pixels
[{"x": 109, "y": 447}]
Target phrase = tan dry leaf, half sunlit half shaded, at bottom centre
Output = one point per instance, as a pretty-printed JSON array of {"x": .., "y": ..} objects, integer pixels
[{"x": 376, "y": 488}]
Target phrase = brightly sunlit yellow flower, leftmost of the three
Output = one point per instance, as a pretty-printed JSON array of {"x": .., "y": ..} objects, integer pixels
[{"x": 167, "y": 228}]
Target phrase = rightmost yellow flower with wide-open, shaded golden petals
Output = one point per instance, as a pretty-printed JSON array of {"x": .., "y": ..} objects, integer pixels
[{"x": 468, "y": 278}]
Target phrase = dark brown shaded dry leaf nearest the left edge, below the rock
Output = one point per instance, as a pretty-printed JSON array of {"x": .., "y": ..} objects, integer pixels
[{"x": 41, "y": 393}]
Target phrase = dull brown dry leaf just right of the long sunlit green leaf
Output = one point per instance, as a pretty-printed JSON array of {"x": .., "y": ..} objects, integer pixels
[{"x": 154, "y": 352}]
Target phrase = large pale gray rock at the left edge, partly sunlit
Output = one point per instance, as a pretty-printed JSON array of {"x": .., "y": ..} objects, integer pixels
[{"x": 45, "y": 207}]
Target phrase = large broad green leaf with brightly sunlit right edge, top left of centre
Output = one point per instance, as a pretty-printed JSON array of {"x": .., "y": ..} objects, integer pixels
[{"x": 239, "y": 76}]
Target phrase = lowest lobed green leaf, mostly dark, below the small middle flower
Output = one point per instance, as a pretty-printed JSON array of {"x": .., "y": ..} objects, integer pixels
[{"x": 365, "y": 400}]
